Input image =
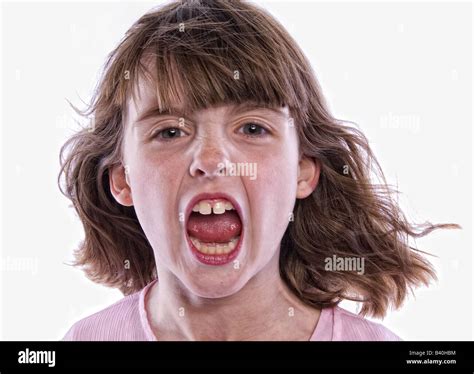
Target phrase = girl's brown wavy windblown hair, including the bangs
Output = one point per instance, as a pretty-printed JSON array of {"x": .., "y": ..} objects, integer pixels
[{"x": 197, "y": 48}]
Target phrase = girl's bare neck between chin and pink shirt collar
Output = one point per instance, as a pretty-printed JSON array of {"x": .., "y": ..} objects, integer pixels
[{"x": 264, "y": 309}]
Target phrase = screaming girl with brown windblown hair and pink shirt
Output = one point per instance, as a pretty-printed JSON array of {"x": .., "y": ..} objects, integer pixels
[{"x": 219, "y": 194}]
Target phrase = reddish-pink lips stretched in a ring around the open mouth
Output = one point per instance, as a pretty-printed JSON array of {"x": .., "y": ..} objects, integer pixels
[{"x": 214, "y": 259}]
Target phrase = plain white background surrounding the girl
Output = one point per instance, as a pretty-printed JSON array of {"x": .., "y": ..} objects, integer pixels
[{"x": 402, "y": 72}]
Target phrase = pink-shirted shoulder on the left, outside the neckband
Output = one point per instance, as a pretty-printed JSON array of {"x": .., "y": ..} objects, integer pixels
[{"x": 119, "y": 321}]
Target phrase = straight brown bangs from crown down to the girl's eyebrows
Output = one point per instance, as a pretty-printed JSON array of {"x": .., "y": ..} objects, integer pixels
[{"x": 201, "y": 56}]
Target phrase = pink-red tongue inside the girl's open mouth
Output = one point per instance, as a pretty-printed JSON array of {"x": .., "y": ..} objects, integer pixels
[{"x": 214, "y": 228}]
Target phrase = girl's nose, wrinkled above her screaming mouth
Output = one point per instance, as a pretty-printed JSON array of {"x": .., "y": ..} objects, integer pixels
[{"x": 209, "y": 160}]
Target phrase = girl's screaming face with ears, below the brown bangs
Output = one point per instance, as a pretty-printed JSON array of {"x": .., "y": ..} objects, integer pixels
[{"x": 243, "y": 155}]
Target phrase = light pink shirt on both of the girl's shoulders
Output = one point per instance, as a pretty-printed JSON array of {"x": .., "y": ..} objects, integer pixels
[{"x": 127, "y": 320}]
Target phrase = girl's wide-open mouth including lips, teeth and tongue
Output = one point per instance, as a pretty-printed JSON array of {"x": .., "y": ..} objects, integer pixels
[{"x": 214, "y": 229}]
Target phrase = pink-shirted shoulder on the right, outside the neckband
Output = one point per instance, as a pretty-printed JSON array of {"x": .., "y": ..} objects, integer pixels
[{"x": 350, "y": 326}]
